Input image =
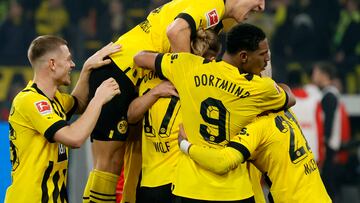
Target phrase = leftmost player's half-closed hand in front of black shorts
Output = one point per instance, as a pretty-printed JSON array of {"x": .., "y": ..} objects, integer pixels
[{"x": 107, "y": 90}]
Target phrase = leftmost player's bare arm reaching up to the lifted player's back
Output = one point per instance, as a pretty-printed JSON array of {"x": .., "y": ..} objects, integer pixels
[{"x": 81, "y": 89}]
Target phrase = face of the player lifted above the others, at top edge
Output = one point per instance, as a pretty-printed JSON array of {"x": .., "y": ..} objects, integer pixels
[{"x": 243, "y": 8}]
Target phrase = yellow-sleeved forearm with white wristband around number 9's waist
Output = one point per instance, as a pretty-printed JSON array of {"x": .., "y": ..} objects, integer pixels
[{"x": 219, "y": 161}]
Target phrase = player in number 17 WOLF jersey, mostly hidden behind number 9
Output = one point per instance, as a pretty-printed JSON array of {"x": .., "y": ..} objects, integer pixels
[{"x": 159, "y": 107}]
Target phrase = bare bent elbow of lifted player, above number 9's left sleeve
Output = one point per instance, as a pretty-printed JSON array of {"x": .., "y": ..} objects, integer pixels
[{"x": 179, "y": 34}]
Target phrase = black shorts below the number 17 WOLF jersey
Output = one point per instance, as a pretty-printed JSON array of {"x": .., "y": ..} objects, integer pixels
[{"x": 161, "y": 194}]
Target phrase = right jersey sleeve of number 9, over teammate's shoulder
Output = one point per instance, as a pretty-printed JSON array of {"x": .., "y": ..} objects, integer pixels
[{"x": 272, "y": 96}]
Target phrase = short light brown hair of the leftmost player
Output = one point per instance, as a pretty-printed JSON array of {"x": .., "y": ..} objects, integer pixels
[{"x": 42, "y": 45}]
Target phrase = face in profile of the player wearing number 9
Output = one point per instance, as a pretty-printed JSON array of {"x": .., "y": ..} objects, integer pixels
[{"x": 257, "y": 60}]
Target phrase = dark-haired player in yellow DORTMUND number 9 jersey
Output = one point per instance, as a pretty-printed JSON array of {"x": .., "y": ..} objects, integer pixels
[{"x": 217, "y": 99}]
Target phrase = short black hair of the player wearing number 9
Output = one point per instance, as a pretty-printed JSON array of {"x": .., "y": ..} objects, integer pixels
[{"x": 244, "y": 37}]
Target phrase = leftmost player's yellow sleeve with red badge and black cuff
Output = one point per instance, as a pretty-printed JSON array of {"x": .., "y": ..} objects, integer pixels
[{"x": 42, "y": 116}]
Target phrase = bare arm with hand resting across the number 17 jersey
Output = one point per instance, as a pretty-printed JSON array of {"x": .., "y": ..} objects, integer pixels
[{"x": 140, "y": 105}]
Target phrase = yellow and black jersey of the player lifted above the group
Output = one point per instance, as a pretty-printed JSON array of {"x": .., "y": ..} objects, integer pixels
[{"x": 151, "y": 33}]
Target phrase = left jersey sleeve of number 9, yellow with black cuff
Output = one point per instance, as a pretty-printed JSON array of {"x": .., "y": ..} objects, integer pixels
[{"x": 174, "y": 66}]
